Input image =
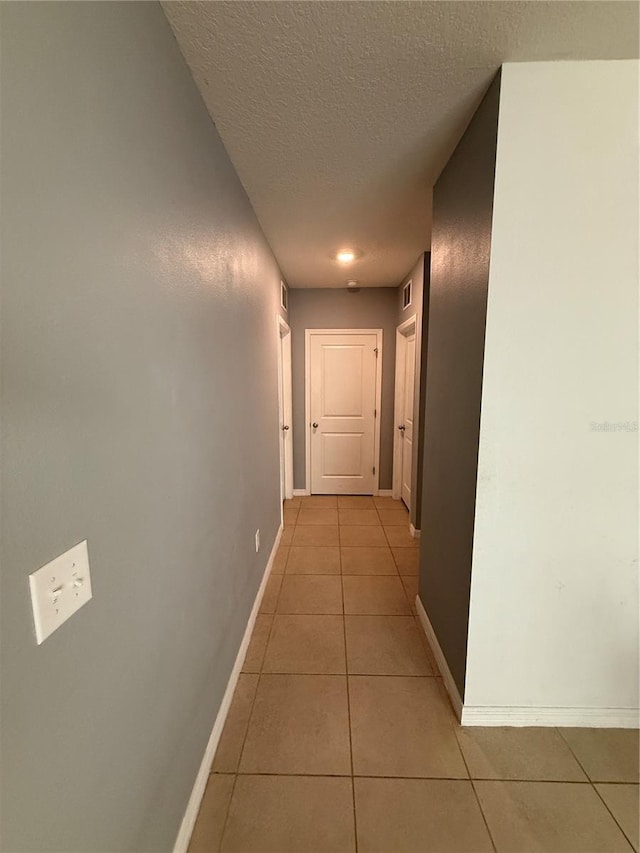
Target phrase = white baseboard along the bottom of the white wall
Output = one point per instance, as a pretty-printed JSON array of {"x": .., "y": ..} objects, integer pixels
[{"x": 590, "y": 718}]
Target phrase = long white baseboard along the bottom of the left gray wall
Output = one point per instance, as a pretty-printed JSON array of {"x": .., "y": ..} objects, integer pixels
[{"x": 193, "y": 806}]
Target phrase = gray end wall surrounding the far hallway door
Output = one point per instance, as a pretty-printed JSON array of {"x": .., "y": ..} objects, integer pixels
[{"x": 370, "y": 308}]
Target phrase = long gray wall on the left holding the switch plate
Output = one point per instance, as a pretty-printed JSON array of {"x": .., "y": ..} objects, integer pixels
[{"x": 139, "y": 411}]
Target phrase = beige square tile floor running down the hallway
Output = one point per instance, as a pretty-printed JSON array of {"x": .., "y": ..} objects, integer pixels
[{"x": 340, "y": 736}]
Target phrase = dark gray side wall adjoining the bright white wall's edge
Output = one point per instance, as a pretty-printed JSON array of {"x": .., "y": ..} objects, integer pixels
[{"x": 460, "y": 250}]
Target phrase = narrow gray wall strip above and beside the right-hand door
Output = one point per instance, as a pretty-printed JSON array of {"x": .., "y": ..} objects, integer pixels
[{"x": 419, "y": 277}]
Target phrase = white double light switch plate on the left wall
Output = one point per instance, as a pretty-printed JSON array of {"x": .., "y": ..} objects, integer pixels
[{"x": 59, "y": 589}]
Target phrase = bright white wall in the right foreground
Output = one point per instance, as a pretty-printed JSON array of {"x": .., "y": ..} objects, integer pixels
[{"x": 554, "y": 591}]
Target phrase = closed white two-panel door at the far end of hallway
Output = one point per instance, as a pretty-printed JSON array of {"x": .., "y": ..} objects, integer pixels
[{"x": 342, "y": 395}]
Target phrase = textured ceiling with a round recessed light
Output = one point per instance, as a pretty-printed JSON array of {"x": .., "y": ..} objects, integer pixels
[{"x": 338, "y": 116}]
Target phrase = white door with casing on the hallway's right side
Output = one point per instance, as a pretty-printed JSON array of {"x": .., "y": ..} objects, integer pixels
[{"x": 405, "y": 398}]
